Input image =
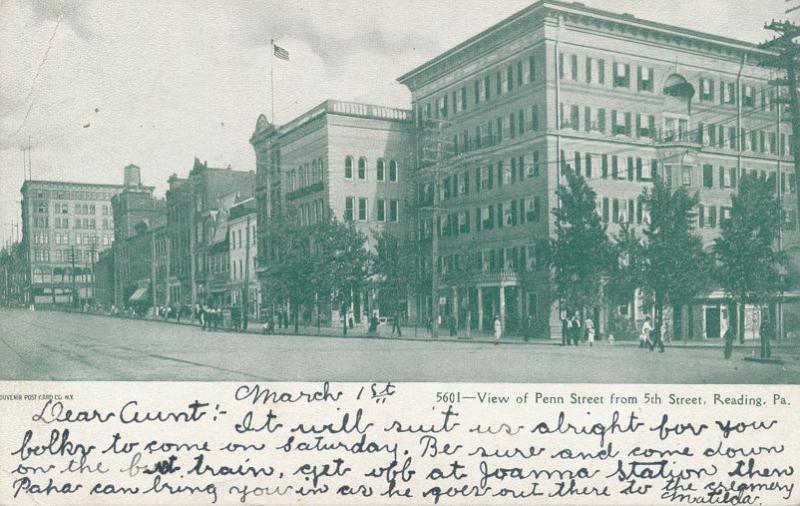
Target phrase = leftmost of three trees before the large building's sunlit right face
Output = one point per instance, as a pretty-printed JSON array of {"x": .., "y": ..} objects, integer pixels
[{"x": 581, "y": 252}]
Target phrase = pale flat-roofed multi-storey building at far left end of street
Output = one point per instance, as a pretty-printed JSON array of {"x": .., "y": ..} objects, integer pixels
[{"x": 65, "y": 227}]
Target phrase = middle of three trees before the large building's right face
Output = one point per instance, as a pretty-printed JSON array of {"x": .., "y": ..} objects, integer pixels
[{"x": 676, "y": 268}]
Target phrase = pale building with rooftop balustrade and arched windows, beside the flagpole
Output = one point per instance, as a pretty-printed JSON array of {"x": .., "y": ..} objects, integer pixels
[{"x": 348, "y": 160}]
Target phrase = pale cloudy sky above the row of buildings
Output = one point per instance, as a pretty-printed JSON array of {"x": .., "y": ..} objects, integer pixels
[{"x": 93, "y": 86}]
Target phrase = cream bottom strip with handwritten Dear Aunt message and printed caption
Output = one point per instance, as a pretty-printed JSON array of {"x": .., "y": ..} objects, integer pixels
[{"x": 276, "y": 443}]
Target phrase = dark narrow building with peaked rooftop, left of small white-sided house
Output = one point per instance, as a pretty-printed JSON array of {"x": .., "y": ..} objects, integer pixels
[{"x": 193, "y": 207}]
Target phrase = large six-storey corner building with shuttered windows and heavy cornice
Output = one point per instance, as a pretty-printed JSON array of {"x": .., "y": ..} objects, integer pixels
[{"x": 618, "y": 99}]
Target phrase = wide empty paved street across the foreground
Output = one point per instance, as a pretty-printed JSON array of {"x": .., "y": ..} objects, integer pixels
[{"x": 58, "y": 346}]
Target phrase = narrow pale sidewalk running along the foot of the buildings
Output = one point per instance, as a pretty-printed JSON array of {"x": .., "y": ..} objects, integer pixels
[{"x": 411, "y": 333}]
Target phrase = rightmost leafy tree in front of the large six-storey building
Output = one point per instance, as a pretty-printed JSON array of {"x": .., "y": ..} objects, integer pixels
[{"x": 747, "y": 262}]
